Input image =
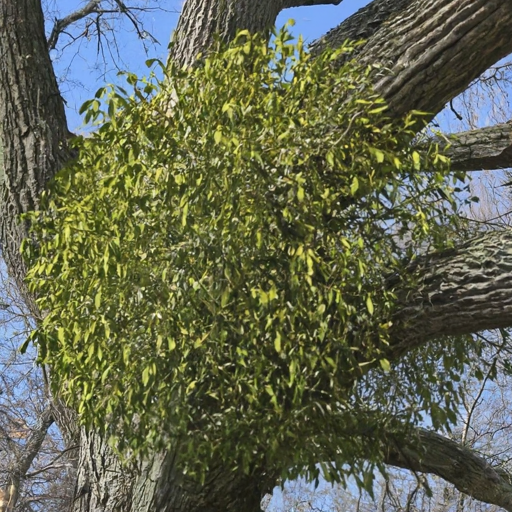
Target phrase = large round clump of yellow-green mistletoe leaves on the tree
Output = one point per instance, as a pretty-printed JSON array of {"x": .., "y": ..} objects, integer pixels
[{"x": 213, "y": 265}]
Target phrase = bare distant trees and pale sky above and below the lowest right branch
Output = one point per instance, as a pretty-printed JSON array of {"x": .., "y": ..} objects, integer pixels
[{"x": 482, "y": 425}]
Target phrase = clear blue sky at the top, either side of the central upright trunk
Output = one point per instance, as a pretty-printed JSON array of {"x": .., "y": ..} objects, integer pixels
[{"x": 81, "y": 71}]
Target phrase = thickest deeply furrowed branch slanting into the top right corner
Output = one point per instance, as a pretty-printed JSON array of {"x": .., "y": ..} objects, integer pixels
[{"x": 433, "y": 48}]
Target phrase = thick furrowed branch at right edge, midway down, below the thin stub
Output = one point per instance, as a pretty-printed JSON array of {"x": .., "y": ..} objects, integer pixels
[{"x": 458, "y": 291}]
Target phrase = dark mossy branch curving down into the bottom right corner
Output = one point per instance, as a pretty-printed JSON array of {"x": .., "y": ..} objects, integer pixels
[{"x": 429, "y": 452}]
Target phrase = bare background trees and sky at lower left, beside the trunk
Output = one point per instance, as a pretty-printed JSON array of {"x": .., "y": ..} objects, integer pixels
[{"x": 31, "y": 446}]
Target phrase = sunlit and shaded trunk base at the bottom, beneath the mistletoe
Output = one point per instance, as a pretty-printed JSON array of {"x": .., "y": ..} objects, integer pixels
[{"x": 158, "y": 486}]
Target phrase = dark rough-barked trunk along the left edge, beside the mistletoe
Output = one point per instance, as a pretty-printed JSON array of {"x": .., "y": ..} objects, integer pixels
[{"x": 33, "y": 129}]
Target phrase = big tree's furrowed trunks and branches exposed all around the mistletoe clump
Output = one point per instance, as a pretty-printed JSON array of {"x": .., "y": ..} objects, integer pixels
[{"x": 434, "y": 50}]
